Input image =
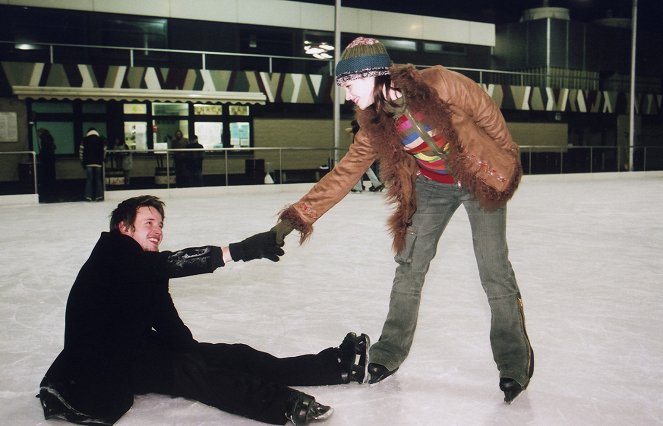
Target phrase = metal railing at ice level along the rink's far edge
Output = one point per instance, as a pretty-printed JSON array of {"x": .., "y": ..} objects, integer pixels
[{"x": 258, "y": 166}]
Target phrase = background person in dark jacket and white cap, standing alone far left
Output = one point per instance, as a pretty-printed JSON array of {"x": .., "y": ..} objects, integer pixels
[{"x": 92, "y": 152}]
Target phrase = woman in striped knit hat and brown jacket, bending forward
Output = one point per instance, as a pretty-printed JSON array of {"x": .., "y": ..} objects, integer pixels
[{"x": 442, "y": 143}]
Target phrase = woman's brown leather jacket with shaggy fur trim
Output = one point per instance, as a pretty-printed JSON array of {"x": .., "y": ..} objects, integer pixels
[{"x": 481, "y": 148}]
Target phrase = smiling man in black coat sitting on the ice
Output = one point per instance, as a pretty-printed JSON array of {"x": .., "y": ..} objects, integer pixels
[{"x": 124, "y": 337}]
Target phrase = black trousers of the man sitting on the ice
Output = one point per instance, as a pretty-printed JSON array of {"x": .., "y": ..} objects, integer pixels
[{"x": 233, "y": 377}]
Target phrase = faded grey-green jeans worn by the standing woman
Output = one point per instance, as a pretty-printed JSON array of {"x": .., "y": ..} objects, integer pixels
[{"x": 436, "y": 204}]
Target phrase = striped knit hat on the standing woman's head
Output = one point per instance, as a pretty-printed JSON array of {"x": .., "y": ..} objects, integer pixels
[{"x": 363, "y": 57}]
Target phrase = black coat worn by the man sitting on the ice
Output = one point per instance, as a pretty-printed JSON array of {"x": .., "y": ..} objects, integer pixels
[{"x": 111, "y": 311}]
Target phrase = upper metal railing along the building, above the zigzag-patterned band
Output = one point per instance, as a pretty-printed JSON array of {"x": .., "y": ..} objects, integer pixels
[{"x": 210, "y": 60}]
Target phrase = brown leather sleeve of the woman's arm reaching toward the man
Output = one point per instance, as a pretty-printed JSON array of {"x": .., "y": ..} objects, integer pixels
[{"x": 332, "y": 187}]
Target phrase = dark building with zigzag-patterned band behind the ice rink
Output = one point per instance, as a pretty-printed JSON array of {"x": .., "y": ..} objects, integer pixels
[{"x": 258, "y": 74}]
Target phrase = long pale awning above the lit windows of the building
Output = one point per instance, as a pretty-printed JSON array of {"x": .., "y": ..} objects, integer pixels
[{"x": 160, "y": 95}]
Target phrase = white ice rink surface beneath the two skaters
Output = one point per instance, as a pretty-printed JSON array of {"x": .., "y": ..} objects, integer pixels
[{"x": 587, "y": 251}]
